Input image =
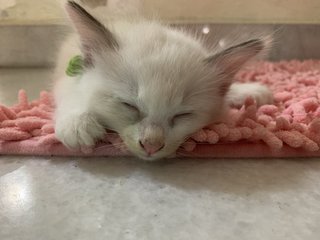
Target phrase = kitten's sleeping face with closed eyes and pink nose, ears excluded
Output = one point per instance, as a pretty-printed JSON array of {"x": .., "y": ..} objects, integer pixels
[{"x": 155, "y": 100}]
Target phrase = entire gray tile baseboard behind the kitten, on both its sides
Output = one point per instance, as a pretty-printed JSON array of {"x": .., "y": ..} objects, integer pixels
[{"x": 36, "y": 46}]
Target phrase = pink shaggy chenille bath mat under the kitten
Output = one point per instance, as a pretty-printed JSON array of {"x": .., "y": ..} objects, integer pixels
[{"x": 289, "y": 128}]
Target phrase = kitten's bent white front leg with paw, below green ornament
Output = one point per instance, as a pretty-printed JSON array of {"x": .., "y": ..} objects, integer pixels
[{"x": 75, "y": 124}]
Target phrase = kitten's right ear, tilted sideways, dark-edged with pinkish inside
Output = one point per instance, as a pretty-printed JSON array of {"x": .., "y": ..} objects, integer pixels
[{"x": 229, "y": 61}]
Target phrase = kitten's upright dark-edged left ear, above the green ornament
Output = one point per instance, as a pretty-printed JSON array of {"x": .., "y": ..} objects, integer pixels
[{"x": 94, "y": 36}]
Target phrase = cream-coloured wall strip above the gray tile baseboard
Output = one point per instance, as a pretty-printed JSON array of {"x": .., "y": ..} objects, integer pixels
[{"x": 217, "y": 11}]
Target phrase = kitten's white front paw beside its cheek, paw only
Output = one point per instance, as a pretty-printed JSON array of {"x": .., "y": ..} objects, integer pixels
[{"x": 75, "y": 131}]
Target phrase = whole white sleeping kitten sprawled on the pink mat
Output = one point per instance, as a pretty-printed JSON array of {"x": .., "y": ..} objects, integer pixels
[{"x": 152, "y": 84}]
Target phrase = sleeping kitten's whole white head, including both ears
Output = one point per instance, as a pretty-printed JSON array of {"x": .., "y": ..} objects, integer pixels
[{"x": 154, "y": 85}]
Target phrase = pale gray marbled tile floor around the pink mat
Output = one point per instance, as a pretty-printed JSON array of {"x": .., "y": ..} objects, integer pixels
[{"x": 73, "y": 198}]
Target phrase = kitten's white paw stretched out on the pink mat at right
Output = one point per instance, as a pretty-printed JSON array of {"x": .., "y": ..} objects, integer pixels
[{"x": 239, "y": 92}]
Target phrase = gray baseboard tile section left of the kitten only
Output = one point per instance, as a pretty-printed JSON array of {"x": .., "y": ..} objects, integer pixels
[{"x": 30, "y": 46}]
